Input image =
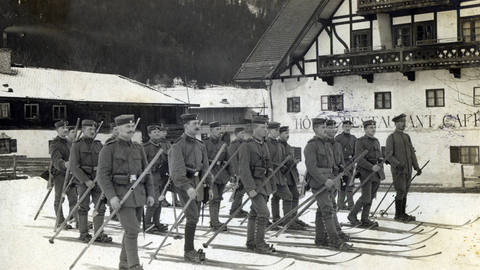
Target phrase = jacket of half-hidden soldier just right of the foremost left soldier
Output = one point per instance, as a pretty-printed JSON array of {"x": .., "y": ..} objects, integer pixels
[{"x": 160, "y": 167}]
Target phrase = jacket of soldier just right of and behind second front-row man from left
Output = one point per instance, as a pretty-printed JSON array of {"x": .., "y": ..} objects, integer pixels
[{"x": 213, "y": 146}]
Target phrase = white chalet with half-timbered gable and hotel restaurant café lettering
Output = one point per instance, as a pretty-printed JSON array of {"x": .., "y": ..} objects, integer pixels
[{"x": 370, "y": 59}]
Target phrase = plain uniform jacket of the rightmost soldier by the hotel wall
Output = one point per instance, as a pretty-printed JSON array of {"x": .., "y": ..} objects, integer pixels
[{"x": 401, "y": 146}]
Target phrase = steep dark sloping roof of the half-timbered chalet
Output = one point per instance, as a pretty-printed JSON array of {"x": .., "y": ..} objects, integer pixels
[{"x": 288, "y": 38}]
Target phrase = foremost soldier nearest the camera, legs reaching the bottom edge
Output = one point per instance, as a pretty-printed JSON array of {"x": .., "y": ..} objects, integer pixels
[{"x": 121, "y": 162}]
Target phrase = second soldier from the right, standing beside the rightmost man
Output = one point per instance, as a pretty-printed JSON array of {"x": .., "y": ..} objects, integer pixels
[{"x": 366, "y": 165}]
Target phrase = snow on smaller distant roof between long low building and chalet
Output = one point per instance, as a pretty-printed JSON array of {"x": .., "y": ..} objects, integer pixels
[{"x": 221, "y": 97}]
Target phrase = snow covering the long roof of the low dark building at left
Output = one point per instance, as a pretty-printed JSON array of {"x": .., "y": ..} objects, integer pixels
[{"x": 79, "y": 86}]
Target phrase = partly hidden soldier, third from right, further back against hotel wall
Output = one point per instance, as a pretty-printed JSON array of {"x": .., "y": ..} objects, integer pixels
[{"x": 347, "y": 141}]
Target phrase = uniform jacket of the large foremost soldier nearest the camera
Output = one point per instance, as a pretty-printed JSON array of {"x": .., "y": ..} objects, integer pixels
[{"x": 118, "y": 161}]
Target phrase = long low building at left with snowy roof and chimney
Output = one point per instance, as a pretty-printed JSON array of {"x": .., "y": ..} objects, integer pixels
[{"x": 33, "y": 99}]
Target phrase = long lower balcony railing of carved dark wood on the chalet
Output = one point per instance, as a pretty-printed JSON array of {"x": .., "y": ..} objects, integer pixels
[{"x": 402, "y": 59}]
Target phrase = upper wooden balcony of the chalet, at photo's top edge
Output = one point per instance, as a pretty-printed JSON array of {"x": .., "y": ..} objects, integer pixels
[{"x": 366, "y": 7}]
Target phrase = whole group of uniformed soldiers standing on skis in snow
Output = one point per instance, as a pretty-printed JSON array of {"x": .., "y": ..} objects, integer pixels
[{"x": 259, "y": 164}]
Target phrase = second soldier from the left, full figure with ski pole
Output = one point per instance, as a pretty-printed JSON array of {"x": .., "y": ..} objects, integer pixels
[{"x": 83, "y": 164}]
